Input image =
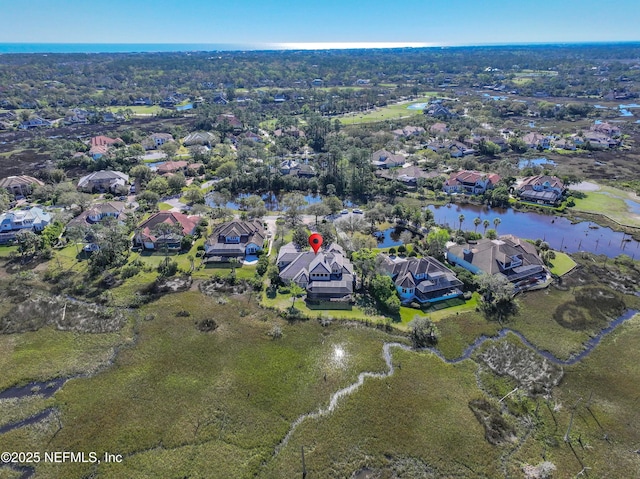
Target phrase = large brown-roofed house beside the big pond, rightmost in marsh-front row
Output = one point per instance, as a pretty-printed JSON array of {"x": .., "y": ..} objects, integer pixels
[{"x": 510, "y": 256}]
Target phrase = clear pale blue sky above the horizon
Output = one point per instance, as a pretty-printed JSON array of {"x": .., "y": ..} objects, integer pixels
[{"x": 340, "y": 22}]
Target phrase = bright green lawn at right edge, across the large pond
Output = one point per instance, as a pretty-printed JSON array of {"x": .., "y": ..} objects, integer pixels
[{"x": 610, "y": 202}]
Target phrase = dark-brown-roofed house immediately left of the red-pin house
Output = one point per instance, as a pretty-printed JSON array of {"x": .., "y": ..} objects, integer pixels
[{"x": 235, "y": 239}]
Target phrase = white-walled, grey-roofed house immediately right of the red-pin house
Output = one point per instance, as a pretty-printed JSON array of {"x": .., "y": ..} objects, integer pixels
[{"x": 425, "y": 280}]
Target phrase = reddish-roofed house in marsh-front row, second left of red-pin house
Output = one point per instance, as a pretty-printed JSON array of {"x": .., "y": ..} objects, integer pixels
[{"x": 148, "y": 236}]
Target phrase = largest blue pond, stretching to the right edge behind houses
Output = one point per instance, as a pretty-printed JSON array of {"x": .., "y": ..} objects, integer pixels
[{"x": 558, "y": 231}]
